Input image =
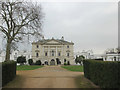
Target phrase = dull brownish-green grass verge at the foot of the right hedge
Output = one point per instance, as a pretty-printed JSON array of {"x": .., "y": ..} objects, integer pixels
[{"x": 83, "y": 82}]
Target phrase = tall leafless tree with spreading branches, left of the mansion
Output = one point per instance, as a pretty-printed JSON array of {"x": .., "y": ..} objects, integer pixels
[{"x": 18, "y": 19}]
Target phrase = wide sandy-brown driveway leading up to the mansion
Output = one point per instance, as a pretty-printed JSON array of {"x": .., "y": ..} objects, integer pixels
[{"x": 46, "y": 77}]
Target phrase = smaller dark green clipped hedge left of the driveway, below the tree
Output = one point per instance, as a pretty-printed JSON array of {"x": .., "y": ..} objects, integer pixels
[{"x": 8, "y": 71}]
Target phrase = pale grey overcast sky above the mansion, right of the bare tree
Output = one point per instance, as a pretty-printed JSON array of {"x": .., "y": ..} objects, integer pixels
[{"x": 90, "y": 25}]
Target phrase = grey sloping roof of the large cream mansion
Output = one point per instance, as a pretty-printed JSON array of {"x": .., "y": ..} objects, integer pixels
[{"x": 60, "y": 41}]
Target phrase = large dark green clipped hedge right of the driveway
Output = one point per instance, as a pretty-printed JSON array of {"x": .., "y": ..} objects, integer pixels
[{"x": 106, "y": 74}]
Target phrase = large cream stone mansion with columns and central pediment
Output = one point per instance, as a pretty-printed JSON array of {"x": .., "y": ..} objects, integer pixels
[{"x": 53, "y": 51}]
